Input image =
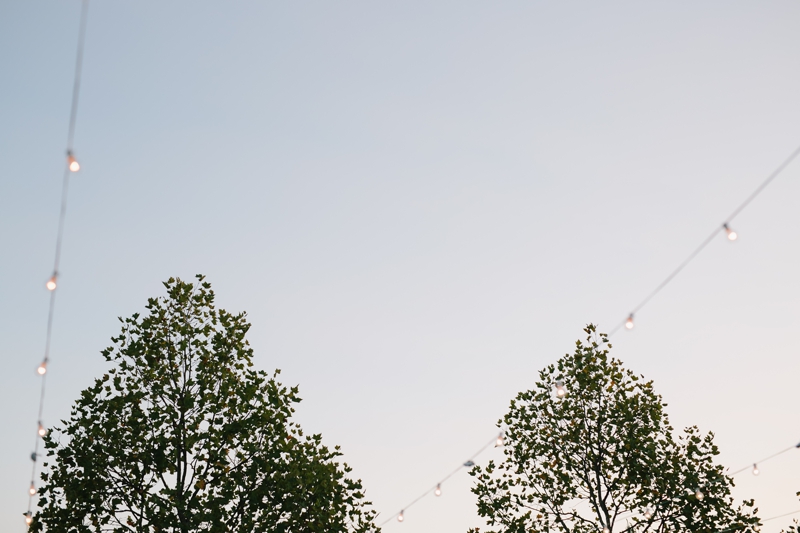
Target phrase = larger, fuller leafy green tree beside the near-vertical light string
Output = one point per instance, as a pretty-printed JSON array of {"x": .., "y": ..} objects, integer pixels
[{"x": 183, "y": 435}]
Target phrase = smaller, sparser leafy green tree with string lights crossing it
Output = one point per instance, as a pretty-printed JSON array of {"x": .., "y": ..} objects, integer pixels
[{"x": 590, "y": 449}]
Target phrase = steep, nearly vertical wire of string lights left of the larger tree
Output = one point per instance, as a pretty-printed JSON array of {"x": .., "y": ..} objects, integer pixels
[{"x": 70, "y": 167}]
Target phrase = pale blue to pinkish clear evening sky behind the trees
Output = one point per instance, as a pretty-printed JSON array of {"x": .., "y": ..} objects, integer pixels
[{"x": 419, "y": 205}]
